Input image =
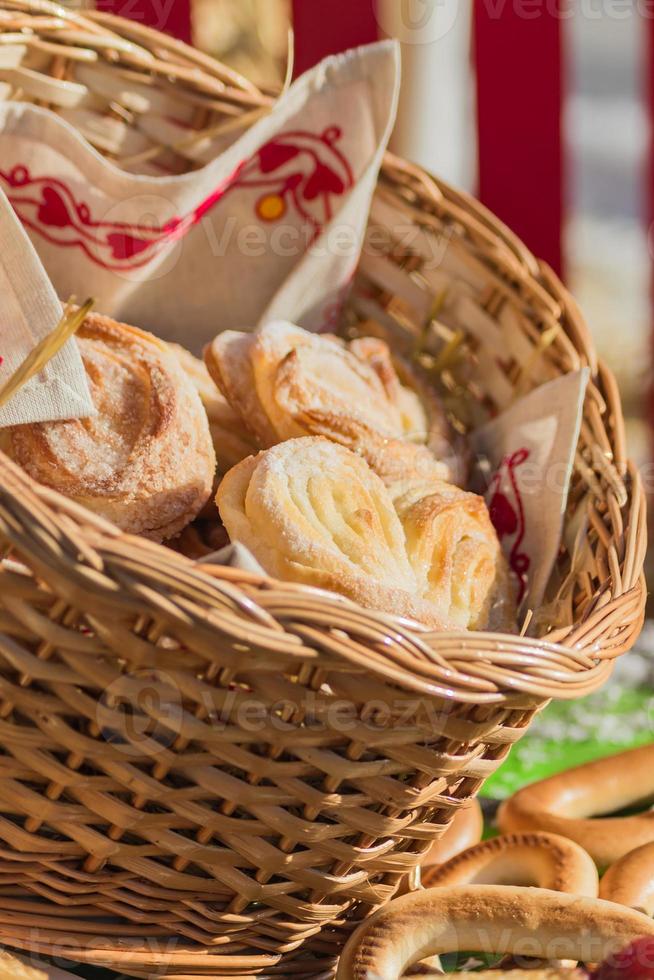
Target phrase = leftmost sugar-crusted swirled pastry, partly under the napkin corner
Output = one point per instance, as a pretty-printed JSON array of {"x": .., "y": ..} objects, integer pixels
[{"x": 145, "y": 460}]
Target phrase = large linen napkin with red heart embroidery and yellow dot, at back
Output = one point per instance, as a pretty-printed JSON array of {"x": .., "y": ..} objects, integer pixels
[{"x": 271, "y": 227}]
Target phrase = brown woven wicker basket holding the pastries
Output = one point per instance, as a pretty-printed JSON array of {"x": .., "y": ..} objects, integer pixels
[{"x": 193, "y": 834}]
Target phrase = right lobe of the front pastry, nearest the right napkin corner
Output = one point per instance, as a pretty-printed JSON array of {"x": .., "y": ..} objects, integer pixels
[{"x": 455, "y": 554}]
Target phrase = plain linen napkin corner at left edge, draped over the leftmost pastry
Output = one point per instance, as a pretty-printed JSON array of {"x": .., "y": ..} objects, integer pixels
[{"x": 29, "y": 311}]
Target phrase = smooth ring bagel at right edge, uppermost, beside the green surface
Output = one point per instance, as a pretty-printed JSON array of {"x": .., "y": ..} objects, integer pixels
[{"x": 564, "y": 803}]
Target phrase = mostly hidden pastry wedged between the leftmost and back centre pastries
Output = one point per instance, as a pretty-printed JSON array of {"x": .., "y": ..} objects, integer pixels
[{"x": 231, "y": 440}]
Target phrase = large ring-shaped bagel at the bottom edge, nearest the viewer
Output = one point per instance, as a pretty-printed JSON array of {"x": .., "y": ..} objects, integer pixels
[{"x": 531, "y": 922}]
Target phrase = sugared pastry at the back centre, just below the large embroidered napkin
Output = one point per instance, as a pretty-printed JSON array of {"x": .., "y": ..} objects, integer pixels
[{"x": 285, "y": 383}]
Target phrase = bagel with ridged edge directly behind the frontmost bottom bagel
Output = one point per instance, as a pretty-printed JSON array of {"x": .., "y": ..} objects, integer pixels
[{"x": 536, "y": 859}]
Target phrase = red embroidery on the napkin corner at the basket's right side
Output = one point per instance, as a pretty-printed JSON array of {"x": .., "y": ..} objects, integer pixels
[{"x": 508, "y": 514}]
